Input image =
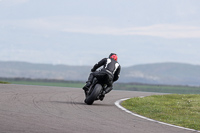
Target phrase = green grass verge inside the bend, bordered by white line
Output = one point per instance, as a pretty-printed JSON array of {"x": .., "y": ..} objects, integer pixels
[{"x": 177, "y": 109}]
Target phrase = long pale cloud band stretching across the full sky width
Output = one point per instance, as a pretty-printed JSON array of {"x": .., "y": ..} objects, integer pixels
[{"x": 103, "y": 26}]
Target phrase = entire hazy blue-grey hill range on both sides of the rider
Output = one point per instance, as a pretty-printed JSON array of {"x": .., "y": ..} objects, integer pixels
[{"x": 158, "y": 73}]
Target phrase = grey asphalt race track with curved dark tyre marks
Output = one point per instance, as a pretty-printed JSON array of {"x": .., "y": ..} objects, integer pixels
[{"x": 39, "y": 109}]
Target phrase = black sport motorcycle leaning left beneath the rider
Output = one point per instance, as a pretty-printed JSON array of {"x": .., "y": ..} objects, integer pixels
[{"x": 97, "y": 90}]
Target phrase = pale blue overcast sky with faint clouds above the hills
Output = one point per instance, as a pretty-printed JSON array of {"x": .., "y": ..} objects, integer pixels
[{"x": 81, "y": 32}]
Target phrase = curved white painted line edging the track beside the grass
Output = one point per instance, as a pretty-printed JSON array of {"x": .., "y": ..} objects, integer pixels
[{"x": 117, "y": 103}]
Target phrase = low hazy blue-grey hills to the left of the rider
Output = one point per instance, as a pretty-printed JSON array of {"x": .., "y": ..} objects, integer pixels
[{"x": 43, "y": 71}]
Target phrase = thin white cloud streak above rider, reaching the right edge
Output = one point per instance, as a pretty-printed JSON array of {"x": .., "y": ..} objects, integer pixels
[{"x": 161, "y": 30}]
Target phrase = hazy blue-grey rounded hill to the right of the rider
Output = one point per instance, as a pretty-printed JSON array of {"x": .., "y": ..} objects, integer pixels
[{"x": 163, "y": 73}]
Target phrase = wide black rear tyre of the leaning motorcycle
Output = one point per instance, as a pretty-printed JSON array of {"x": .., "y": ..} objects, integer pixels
[{"x": 93, "y": 96}]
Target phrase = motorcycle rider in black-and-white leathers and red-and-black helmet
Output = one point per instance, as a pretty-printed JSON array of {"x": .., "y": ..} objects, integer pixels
[{"x": 110, "y": 71}]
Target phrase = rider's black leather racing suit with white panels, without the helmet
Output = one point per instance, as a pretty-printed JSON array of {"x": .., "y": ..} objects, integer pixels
[{"x": 110, "y": 72}]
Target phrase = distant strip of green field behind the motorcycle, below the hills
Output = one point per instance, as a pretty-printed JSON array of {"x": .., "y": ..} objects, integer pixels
[{"x": 117, "y": 86}]
